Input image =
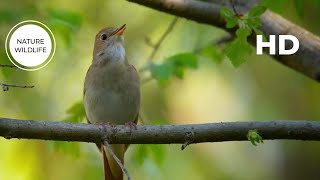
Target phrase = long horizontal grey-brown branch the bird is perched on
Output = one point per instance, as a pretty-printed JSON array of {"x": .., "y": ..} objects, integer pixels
[{"x": 158, "y": 134}]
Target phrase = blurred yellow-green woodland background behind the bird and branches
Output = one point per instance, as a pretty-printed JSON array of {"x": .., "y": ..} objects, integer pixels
[{"x": 260, "y": 89}]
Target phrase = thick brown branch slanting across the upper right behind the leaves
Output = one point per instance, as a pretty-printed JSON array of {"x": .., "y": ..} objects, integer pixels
[{"x": 306, "y": 60}]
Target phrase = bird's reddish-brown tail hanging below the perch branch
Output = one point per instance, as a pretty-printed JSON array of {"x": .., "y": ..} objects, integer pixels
[{"x": 112, "y": 171}]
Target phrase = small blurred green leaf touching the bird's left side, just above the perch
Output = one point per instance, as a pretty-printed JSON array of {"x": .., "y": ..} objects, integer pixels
[{"x": 76, "y": 113}]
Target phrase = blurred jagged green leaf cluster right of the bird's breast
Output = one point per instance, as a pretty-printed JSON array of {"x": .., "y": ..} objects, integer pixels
[{"x": 173, "y": 66}]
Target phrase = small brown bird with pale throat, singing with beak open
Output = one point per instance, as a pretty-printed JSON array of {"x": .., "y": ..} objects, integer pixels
[{"x": 111, "y": 92}]
